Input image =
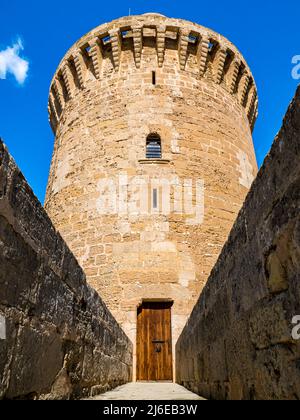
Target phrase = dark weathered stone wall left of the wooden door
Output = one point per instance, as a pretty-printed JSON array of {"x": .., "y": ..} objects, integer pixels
[{"x": 61, "y": 340}]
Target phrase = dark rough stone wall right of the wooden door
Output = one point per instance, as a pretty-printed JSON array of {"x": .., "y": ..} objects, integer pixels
[{"x": 238, "y": 341}]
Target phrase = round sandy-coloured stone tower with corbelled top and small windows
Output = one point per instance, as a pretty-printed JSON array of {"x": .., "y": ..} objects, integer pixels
[{"x": 153, "y": 159}]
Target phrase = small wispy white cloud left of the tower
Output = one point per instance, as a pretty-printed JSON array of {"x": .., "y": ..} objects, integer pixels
[{"x": 11, "y": 62}]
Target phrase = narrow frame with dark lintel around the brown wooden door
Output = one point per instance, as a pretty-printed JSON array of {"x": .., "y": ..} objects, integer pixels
[{"x": 170, "y": 302}]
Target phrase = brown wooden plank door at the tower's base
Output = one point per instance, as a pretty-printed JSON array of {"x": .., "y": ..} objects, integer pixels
[{"x": 154, "y": 342}]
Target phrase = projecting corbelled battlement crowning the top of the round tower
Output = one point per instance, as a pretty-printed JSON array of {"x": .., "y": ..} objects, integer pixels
[{"x": 216, "y": 58}]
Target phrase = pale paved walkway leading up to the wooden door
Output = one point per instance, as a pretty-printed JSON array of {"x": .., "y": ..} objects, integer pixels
[{"x": 149, "y": 391}]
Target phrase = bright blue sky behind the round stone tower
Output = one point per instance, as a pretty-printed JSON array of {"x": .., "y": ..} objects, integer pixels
[{"x": 266, "y": 32}]
